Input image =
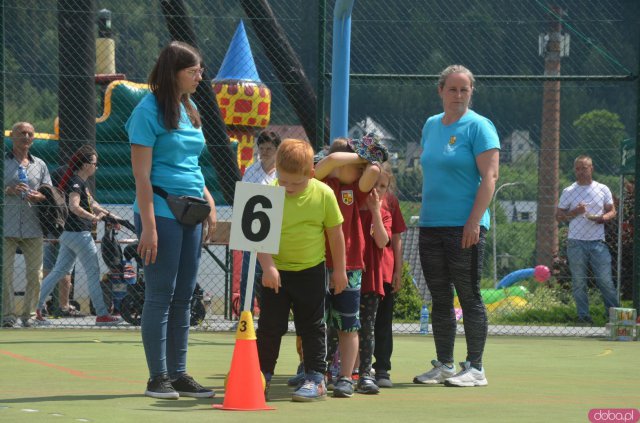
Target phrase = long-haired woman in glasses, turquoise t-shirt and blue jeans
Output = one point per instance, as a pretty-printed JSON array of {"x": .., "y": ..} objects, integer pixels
[{"x": 165, "y": 132}]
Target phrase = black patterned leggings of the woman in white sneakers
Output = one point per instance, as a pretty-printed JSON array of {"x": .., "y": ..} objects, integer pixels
[{"x": 446, "y": 265}]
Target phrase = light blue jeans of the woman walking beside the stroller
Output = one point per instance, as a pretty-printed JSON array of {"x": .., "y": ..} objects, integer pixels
[{"x": 74, "y": 245}]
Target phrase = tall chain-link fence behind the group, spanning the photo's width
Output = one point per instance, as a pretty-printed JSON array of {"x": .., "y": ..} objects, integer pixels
[{"x": 558, "y": 79}]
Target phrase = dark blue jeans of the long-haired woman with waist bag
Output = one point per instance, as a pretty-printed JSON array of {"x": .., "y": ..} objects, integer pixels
[{"x": 169, "y": 285}]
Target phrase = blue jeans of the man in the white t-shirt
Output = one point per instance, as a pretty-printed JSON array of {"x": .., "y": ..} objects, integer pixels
[{"x": 581, "y": 254}]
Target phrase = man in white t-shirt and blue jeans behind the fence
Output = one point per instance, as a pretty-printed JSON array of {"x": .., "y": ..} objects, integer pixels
[{"x": 587, "y": 205}]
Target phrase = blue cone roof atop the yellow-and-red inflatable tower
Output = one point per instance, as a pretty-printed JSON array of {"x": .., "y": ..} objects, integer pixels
[{"x": 238, "y": 63}]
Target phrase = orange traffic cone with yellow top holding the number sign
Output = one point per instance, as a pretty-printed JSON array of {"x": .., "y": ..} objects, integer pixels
[{"x": 244, "y": 389}]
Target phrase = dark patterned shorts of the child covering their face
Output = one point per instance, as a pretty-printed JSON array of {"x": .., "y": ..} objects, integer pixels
[{"x": 343, "y": 310}]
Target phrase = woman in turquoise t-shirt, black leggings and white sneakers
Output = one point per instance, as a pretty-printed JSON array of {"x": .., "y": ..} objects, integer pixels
[{"x": 459, "y": 161}]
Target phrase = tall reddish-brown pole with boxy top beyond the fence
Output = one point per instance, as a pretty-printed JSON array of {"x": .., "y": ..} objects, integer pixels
[{"x": 552, "y": 46}]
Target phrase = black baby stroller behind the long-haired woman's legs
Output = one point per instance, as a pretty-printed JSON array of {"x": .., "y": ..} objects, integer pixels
[{"x": 124, "y": 285}]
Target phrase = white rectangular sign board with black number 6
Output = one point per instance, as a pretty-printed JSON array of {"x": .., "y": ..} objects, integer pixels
[{"x": 257, "y": 218}]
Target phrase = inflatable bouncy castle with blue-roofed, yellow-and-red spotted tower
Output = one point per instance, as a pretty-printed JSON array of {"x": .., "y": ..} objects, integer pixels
[{"x": 244, "y": 100}]
